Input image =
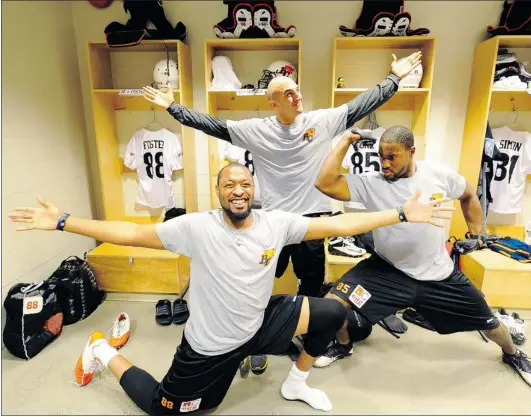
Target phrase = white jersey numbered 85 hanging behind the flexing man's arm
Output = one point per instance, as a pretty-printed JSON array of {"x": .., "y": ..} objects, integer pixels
[{"x": 362, "y": 160}]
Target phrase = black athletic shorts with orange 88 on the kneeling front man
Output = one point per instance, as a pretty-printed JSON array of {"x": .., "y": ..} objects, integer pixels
[{"x": 200, "y": 382}]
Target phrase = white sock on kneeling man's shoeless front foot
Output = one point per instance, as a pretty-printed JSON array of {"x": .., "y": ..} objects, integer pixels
[{"x": 295, "y": 388}]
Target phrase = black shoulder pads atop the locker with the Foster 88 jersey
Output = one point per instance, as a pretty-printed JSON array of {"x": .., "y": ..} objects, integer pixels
[{"x": 135, "y": 30}]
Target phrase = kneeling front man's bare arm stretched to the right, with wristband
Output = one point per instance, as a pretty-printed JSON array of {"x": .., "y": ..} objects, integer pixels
[{"x": 355, "y": 223}]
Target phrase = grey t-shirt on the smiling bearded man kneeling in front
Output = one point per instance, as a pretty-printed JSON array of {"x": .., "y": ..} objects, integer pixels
[{"x": 232, "y": 272}]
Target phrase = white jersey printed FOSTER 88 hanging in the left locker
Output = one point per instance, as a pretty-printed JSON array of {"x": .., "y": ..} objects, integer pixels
[{"x": 154, "y": 155}]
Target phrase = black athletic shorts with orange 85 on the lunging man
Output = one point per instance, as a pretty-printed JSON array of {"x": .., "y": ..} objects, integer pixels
[{"x": 376, "y": 289}]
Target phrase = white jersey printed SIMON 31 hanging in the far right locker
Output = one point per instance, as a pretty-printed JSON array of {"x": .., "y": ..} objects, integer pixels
[{"x": 510, "y": 170}]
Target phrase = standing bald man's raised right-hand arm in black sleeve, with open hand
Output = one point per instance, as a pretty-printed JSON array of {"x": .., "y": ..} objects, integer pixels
[{"x": 373, "y": 98}]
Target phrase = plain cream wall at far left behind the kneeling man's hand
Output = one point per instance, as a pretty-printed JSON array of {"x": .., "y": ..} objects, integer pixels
[{"x": 43, "y": 135}]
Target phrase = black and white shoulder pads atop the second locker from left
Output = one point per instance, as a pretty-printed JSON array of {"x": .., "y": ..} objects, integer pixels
[{"x": 245, "y": 20}]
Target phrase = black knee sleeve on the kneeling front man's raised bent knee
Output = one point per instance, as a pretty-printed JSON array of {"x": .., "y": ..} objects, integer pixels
[{"x": 327, "y": 316}]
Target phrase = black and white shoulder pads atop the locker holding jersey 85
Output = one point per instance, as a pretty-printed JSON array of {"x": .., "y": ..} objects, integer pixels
[{"x": 382, "y": 18}]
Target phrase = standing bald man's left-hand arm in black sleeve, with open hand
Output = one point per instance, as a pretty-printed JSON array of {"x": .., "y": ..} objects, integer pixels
[{"x": 206, "y": 123}]
